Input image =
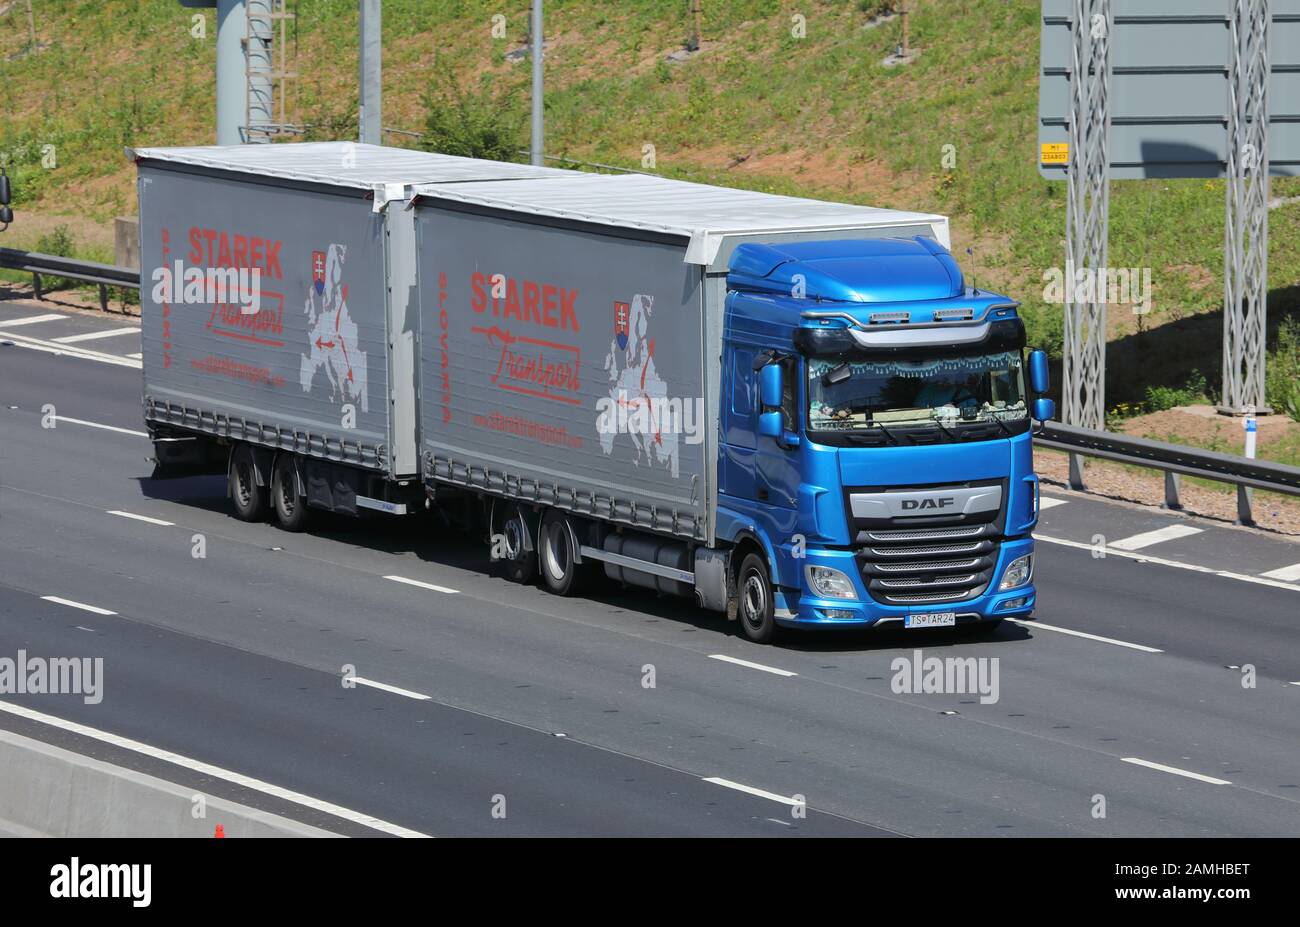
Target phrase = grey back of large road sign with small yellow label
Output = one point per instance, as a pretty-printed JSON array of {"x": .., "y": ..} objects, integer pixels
[{"x": 1169, "y": 89}]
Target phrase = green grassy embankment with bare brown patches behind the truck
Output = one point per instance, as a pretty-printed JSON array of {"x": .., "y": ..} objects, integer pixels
[{"x": 785, "y": 97}]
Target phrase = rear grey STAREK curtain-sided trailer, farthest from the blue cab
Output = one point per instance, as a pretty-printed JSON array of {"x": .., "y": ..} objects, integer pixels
[{"x": 279, "y": 318}]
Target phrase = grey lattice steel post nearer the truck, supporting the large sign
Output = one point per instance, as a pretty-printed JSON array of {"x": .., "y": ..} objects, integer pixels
[{"x": 1087, "y": 220}]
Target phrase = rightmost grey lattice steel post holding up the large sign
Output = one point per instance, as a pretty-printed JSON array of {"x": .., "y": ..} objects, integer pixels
[{"x": 1246, "y": 240}]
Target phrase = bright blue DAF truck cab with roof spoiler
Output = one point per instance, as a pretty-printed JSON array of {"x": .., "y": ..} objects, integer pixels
[{"x": 876, "y": 444}]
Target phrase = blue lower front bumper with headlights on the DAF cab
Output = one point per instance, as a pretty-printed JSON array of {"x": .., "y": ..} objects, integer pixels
[{"x": 807, "y": 610}]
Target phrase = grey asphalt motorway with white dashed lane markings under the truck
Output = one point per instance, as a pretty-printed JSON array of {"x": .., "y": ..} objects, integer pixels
[{"x": 236, "y": 660}]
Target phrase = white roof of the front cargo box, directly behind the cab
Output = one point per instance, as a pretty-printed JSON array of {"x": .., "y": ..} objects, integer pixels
[{"x": 704, "y": 214}]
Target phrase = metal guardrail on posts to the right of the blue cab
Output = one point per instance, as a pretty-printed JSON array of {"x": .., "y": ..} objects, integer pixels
[{"x": 1176, "y": 461}]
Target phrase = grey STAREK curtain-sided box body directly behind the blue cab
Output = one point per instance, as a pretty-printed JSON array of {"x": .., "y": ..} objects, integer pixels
[{"x": 571, "y": 363}]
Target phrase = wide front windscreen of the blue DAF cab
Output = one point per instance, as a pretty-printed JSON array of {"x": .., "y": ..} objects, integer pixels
[{"x": 941, "y": 392}]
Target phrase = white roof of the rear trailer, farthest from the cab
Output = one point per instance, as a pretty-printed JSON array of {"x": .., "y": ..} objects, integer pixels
[{"x": 346, "y": 164}]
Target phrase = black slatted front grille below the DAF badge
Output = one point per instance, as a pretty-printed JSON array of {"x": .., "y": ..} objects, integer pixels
[{"x": 946, "y": 560}]
